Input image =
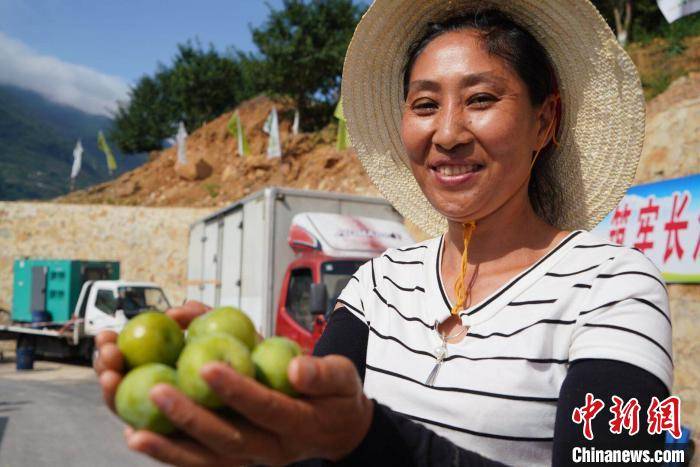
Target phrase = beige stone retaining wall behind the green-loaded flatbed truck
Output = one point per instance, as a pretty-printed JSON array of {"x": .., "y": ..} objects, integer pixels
[{"x": 150, "y": 243}]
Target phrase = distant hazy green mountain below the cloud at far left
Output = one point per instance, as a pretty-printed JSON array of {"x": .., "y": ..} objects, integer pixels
[{"x": 37, "y": 138}]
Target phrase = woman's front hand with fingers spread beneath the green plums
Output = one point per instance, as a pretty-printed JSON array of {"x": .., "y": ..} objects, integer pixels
[{"x": 329, "y": 420}]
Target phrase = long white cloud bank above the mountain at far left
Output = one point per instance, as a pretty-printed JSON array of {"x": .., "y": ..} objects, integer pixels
[{"x": 65, "y": 83}]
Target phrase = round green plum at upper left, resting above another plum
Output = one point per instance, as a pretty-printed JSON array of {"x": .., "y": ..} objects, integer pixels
[{"x": 151, "y": 337}]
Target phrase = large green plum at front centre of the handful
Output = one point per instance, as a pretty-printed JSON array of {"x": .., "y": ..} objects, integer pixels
[{"x": 217, "y": 347}]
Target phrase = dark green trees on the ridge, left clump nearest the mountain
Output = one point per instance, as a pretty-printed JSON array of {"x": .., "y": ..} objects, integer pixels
[{"x": 197, "y": 86}]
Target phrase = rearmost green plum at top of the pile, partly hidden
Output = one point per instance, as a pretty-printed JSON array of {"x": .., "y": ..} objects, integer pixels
[{"x": 227, "y": 320}]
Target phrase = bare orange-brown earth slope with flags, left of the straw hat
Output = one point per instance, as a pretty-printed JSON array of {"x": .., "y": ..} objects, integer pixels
[{"x": 215, "y": 174}]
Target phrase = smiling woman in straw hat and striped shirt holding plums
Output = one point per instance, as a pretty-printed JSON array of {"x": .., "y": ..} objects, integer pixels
[{"x": 507, "y": 130}]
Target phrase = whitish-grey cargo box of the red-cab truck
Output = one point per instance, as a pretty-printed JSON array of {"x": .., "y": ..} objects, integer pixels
[{"x": 238, "y": 256}]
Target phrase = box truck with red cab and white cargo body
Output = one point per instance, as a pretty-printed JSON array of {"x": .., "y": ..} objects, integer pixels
[{"x": 284, "y": 255}]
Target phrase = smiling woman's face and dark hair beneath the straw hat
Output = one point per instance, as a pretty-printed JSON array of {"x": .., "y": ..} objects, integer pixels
[{"x": 494, "y": 71}]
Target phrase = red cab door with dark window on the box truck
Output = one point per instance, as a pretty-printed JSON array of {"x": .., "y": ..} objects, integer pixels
[{"x": 295, "y": 320}]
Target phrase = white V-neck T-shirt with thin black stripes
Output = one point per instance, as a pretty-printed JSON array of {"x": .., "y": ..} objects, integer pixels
[{"x": 496, "y": 391}]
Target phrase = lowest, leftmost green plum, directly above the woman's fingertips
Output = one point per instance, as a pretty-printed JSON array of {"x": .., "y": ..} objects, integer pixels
[{"x": 132, "y": 401}]
